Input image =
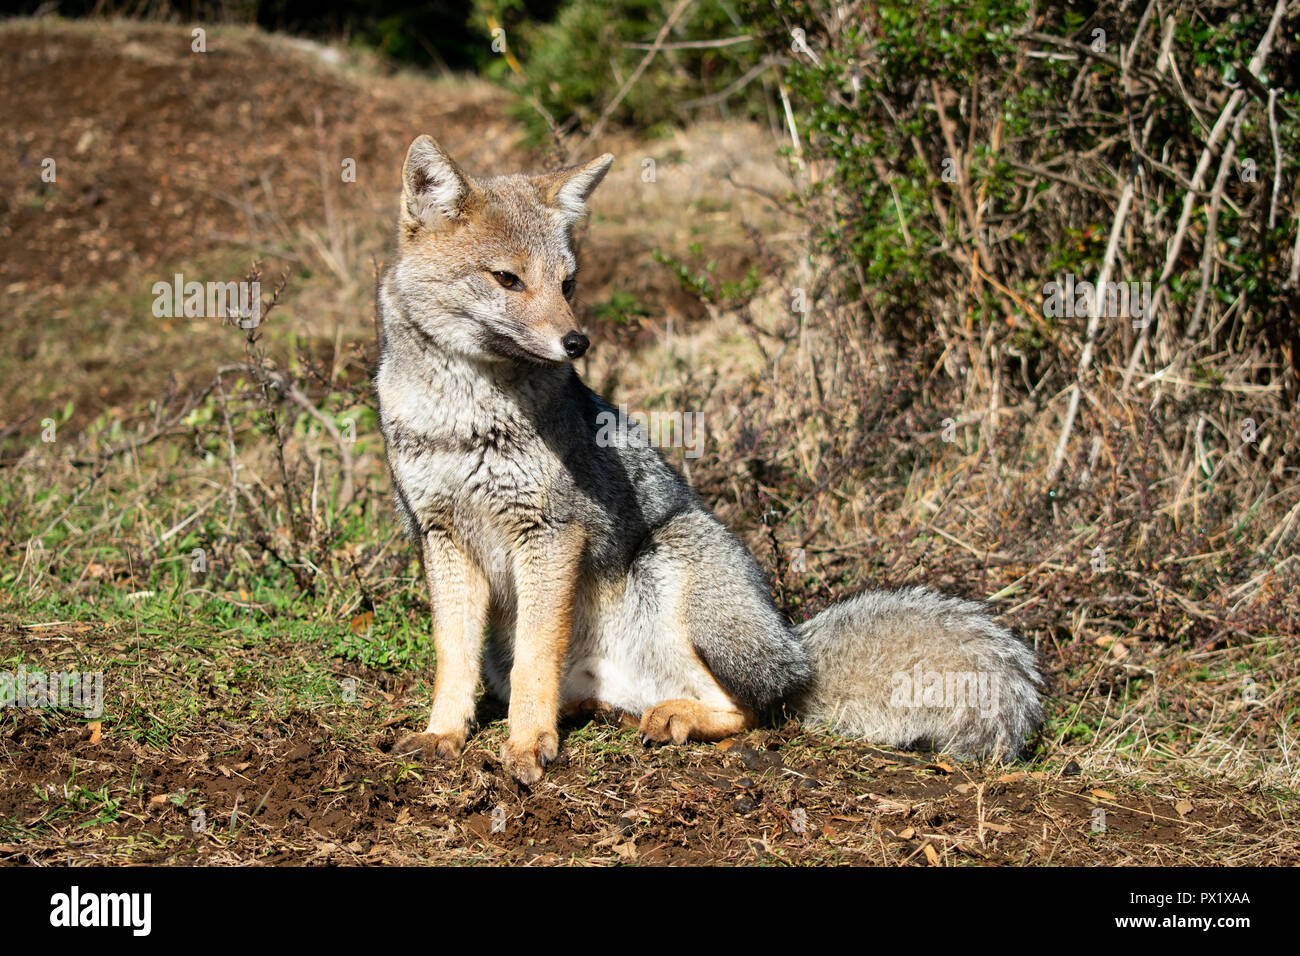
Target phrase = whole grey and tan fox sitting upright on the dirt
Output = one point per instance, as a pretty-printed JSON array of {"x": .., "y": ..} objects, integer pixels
[{"x": 571, "y": 572}]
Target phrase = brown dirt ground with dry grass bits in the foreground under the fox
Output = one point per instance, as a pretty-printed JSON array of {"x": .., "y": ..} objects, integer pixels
[{"x": 318, "y": 786}]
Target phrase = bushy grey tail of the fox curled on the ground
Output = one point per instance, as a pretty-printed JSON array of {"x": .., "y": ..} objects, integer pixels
[{"x": 917, "y": 669}]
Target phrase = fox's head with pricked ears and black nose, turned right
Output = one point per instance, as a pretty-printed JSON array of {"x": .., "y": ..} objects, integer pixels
[{"x": 487, "y": 267}]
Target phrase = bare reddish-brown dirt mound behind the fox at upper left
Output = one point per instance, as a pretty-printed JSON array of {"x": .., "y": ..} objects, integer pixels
[{"x": 162, "y": 153}]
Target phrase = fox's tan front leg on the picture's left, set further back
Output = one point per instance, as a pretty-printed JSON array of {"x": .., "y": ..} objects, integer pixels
[{"x": 458, "y": 594}]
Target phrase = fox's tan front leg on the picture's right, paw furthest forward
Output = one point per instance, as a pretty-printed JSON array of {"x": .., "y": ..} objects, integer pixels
[{"x": 547, "y": 576}]
